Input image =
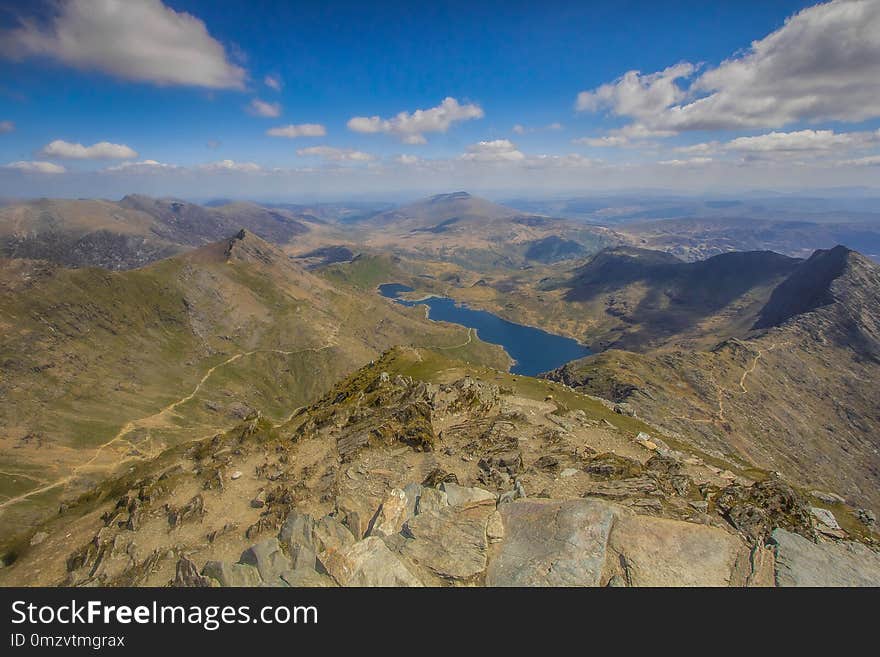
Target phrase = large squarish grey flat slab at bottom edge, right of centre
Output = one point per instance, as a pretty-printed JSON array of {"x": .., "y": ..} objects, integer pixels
[{"x": 551, "y": 543}]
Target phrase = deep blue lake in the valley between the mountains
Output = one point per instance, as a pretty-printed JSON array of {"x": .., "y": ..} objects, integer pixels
[{"x": 534, "y": 350}]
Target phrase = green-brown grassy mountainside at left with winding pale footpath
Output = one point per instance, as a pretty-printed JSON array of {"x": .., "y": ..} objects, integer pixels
[{"x": 86, "y": 352}]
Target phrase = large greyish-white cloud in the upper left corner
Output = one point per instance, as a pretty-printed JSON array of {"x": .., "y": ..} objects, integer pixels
[{"x": 139, "y": 40}]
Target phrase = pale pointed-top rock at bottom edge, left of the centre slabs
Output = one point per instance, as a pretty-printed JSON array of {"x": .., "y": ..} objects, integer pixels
[{"x": 367, "y": 563}]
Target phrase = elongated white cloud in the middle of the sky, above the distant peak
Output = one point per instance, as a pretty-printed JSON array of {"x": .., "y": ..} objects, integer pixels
[{"x": 410, "y": 128}]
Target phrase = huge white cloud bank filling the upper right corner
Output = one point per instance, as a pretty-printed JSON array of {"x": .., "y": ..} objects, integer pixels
[{"x": 820, "y": 65}]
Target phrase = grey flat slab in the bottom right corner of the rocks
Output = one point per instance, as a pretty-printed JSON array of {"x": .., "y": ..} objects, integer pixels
[{"x": 800, "y": 562}]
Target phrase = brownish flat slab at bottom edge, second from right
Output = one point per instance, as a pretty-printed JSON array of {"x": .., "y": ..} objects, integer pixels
[{"x": 662, "y": 552}]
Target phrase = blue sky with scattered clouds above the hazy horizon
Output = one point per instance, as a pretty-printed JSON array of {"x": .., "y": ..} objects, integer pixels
[{"x": 101, "y": 97}]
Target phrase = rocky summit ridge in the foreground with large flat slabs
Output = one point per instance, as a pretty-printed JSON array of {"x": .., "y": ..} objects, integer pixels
[{"x": 414, "y": 472}]
